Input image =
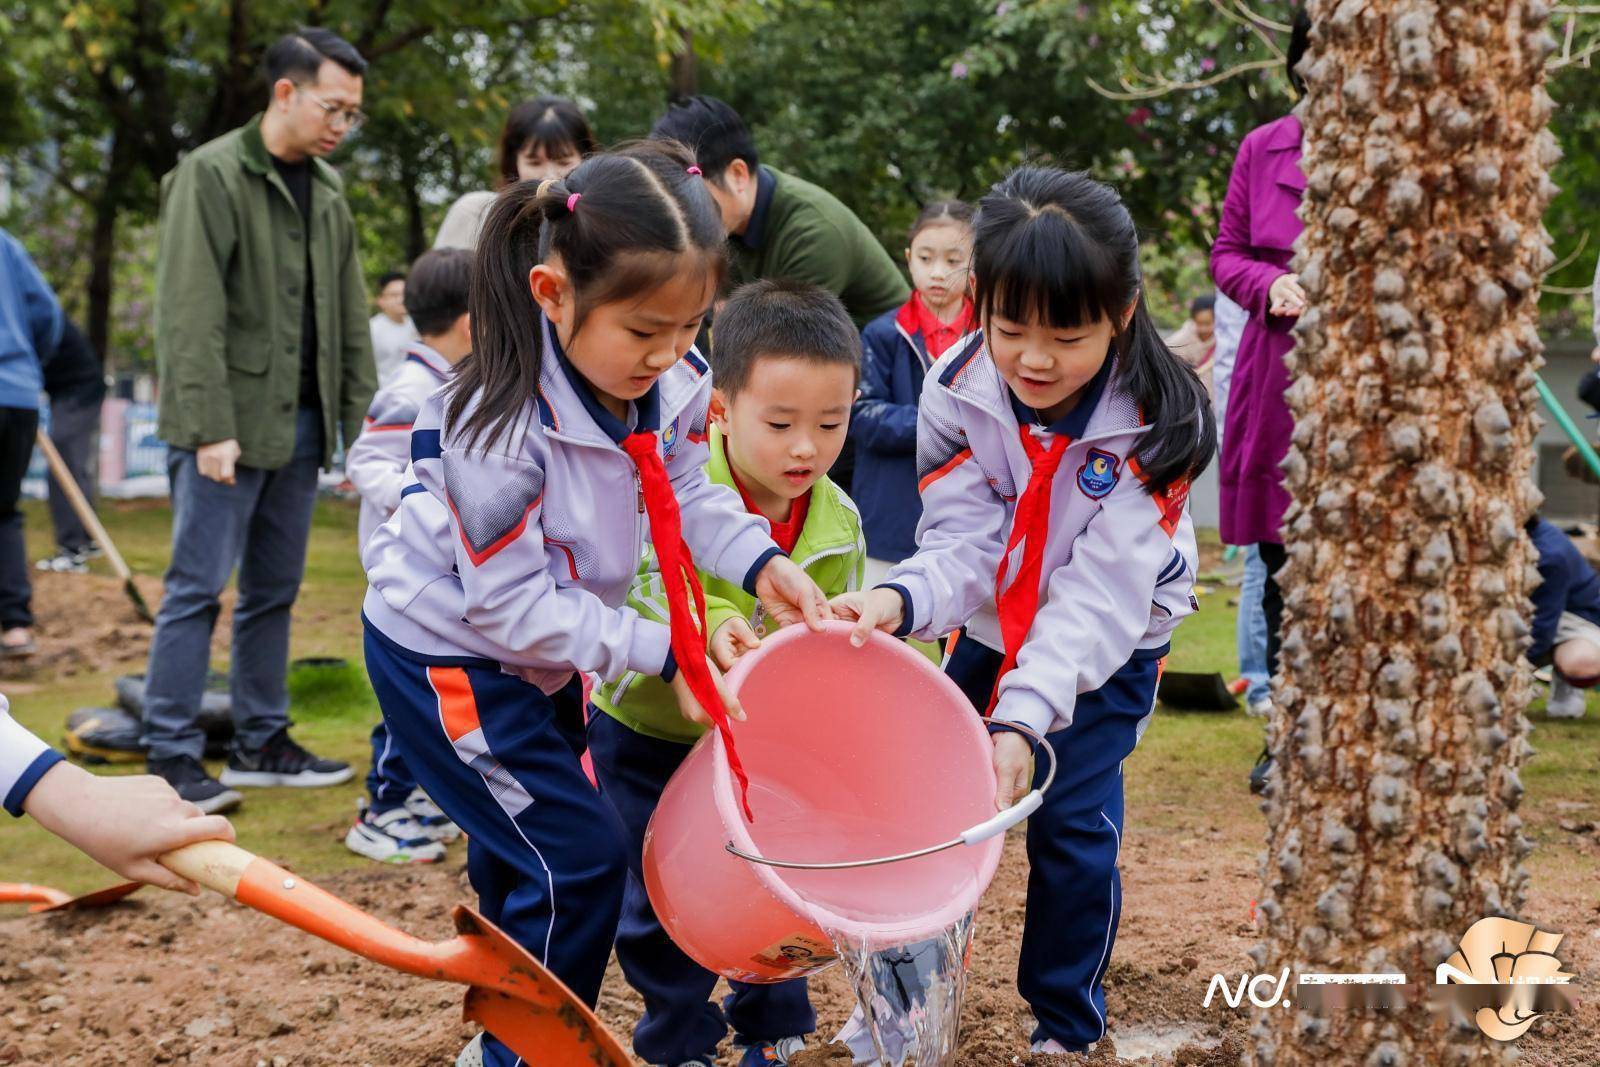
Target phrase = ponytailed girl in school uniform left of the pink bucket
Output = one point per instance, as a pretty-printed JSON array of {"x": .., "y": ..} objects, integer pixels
[{"x": 577, "y": 426}]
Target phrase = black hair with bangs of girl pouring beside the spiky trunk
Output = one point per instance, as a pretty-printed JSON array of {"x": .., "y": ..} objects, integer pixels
[{"x": 1060, "y": 249}]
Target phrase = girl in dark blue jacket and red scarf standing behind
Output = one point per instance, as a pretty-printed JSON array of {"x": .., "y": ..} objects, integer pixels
[{"x": 898, "y": 348}]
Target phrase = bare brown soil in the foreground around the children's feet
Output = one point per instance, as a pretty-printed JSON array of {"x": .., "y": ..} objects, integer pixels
[{"x": 162, "y": 980}]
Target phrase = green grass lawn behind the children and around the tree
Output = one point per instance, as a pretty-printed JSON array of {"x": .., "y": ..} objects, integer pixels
[{"x": 1190, "y": 770}]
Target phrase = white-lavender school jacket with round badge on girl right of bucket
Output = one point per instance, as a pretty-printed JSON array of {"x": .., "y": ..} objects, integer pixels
[{"x": 1119, "y": 564}]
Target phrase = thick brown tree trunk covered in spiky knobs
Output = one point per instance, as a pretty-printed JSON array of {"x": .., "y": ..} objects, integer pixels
[{"x": 1401, "y": 693}]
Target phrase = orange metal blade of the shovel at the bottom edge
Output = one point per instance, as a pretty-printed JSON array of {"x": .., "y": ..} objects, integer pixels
[{"x": 516, "y": 999}]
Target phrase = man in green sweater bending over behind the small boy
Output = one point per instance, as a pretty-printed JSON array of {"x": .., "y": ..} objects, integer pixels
[{"x": 785, "y": 228}]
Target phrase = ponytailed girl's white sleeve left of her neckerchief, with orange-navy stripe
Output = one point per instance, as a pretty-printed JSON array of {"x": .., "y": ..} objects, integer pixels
[{"x": 511, "y": 596}]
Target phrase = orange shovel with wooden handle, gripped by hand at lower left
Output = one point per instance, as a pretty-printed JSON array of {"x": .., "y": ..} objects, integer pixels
[{"x": 508, "y": 991}]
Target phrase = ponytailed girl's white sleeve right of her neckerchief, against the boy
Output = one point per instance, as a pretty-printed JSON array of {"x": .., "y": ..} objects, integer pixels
[{"x": 724, "y": 538}]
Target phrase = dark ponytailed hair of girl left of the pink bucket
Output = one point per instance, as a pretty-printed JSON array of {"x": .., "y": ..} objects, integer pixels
[{"x": 638, "y": 215}]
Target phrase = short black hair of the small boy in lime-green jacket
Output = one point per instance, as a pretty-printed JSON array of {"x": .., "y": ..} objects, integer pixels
[{"x": 780, "y": 319}]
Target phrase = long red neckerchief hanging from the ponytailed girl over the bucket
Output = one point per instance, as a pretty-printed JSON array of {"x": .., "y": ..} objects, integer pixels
[{"x": 687, "y": 623}]
